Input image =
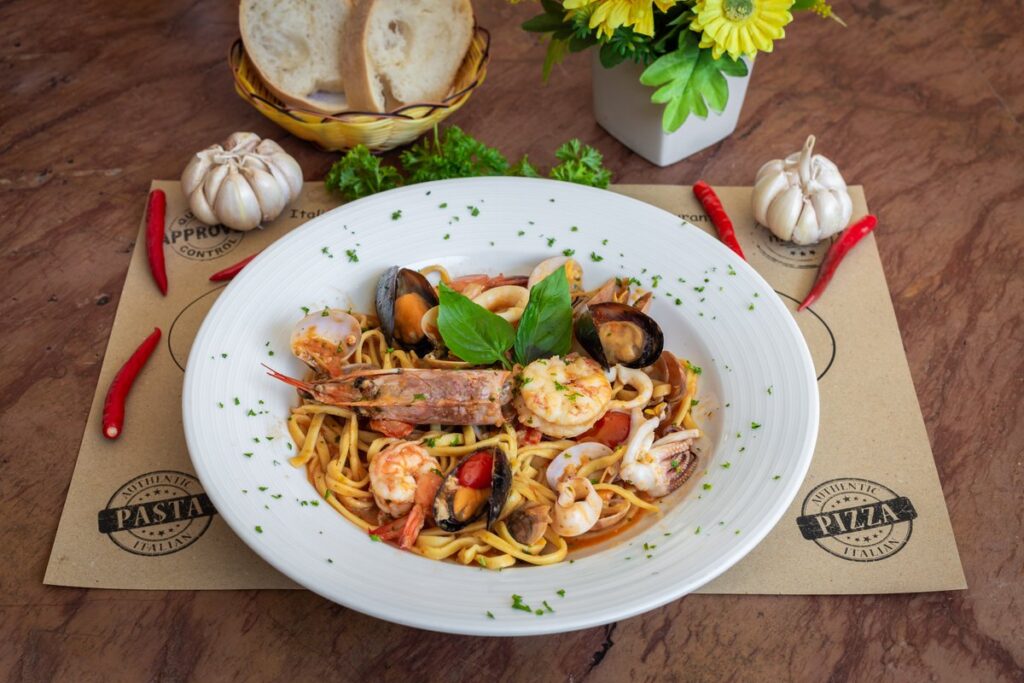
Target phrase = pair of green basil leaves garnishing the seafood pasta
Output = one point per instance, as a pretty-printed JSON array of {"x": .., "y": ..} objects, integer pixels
[{"x": 479, "y": 336}]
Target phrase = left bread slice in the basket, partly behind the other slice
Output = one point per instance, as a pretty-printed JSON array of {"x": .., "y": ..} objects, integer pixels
[{"x": 296, "y": 48}]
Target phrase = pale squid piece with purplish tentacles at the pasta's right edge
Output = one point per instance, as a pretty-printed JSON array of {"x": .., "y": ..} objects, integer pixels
[{"x": 658, "y": 467}]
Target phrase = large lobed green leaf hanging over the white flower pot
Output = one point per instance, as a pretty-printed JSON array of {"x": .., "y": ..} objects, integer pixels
[{"x": 691, "y": 81}]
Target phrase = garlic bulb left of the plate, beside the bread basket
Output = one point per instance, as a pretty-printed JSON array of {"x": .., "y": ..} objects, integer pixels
[{"x": 241, "y": 184}]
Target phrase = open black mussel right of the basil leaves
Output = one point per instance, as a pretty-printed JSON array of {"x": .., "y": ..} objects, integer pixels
[{"x": 619, "y": 334}]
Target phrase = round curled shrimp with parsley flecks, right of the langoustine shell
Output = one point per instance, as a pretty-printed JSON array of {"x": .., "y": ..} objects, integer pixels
[{"x": 563, "y": 399}]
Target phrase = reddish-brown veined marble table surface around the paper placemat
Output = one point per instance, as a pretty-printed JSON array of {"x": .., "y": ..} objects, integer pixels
[{"x": 922, "y": 103}]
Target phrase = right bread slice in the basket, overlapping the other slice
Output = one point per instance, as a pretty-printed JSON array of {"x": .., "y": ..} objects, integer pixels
[{"x": 400, "y": 53}]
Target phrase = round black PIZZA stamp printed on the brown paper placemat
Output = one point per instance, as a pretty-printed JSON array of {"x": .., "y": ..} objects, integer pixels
[{"x": 858, "y": 520}]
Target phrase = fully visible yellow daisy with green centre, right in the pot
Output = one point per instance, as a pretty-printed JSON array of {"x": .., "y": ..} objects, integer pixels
[{"x": 741, "y": 27}]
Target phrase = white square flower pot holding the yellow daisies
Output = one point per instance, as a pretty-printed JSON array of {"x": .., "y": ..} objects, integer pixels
[{"x": 623, "y": 107}]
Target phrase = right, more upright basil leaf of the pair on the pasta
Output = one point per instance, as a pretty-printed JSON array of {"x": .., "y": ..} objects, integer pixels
[{"x": 546, "y": 326}]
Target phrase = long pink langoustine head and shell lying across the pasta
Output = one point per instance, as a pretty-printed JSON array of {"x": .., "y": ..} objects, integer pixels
[{"x": 415, "y": 396}]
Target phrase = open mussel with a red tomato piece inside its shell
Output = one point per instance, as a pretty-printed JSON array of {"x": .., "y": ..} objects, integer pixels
[{"x": 481, "y": 484}]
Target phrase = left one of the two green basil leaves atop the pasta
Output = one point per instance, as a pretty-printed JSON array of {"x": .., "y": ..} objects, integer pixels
[{"x": 473, "y": 332}]
